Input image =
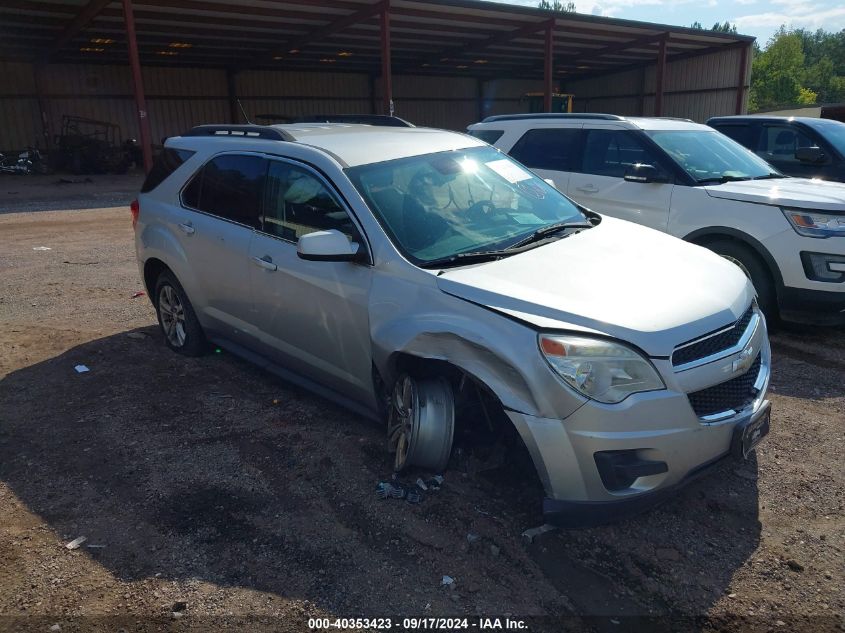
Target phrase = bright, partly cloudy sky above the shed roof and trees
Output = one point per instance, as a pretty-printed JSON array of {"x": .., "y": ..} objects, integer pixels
[{"x": 760, "y": 18}]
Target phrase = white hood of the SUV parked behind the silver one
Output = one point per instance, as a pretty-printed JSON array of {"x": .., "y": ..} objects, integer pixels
[{"x": 802, "y": 193}]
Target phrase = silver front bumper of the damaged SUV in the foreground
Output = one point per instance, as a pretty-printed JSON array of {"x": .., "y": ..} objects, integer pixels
[{"x": 654, "y": 442}]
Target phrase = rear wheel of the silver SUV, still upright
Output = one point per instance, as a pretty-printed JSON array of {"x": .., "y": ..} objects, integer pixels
[{"x": 179, "y": 324}]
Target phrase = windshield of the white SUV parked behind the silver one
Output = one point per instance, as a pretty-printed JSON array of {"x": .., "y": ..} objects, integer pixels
[{"x": 711, "y": 156}]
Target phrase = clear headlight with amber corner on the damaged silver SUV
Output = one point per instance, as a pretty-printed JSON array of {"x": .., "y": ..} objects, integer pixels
[{"x": 599, "y": 369}]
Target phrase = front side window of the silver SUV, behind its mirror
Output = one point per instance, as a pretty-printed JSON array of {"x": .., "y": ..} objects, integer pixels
[{"x": 298, "y": 203}]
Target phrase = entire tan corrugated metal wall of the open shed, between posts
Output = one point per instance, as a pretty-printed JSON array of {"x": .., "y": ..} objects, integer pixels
[{"x": 179, "y": 98}]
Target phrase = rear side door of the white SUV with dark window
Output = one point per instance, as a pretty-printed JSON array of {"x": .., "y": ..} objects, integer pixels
[{"x": 550, "y": 152}]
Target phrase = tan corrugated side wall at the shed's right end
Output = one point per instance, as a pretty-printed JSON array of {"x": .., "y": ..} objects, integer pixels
[{"x": 693, "y": 88}]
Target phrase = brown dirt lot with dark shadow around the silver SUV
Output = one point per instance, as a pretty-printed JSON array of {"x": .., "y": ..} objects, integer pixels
[{"x": 214, "y": 496}]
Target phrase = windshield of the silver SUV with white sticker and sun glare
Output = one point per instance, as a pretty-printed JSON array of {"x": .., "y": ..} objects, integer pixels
[{"x": 453, "y": 203}]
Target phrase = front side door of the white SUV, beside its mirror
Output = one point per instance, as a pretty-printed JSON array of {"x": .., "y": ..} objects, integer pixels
[{"x": 600, "y": 184}]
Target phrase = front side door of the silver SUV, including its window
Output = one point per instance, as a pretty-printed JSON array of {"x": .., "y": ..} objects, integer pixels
[{"x": 312, "y": 315}]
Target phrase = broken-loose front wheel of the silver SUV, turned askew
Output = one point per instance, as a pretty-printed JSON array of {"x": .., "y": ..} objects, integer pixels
[{"x": 421, "y": 423}]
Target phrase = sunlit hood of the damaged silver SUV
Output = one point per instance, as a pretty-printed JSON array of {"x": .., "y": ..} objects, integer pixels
[{"x": 619, "y": 279}]
